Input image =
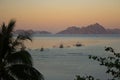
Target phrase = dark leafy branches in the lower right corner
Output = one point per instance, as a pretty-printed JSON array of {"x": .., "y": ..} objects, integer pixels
[{"x": 111, "y": 62}]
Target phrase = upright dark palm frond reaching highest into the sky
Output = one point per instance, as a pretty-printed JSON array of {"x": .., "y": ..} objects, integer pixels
[{"x": 6, "y": 37}]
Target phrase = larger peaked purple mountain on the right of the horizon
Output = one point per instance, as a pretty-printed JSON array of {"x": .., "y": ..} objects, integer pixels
[{"x": 90, "y": 29}]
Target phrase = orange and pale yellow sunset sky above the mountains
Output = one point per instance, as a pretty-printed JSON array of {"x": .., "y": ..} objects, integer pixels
[{"x": 56, "y": 15}]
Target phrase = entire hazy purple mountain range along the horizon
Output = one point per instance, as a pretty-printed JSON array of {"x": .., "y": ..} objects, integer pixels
[{"x": 90, "y": 29}]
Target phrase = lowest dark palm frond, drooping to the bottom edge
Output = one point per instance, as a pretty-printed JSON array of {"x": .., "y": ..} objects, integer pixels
[{"x": 25, "y": 72}]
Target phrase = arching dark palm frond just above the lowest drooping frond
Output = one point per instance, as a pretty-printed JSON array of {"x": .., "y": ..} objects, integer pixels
[{"x": 19, "y": 57}]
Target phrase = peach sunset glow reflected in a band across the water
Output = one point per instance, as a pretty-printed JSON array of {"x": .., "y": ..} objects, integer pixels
[{"x": 50, "y": 42}]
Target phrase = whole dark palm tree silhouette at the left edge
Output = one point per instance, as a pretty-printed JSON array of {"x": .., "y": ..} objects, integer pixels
[{"x": 15, "y": 61}]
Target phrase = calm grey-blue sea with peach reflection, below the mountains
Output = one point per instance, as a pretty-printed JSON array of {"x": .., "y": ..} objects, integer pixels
[{"x": 63, "y": 64}]
